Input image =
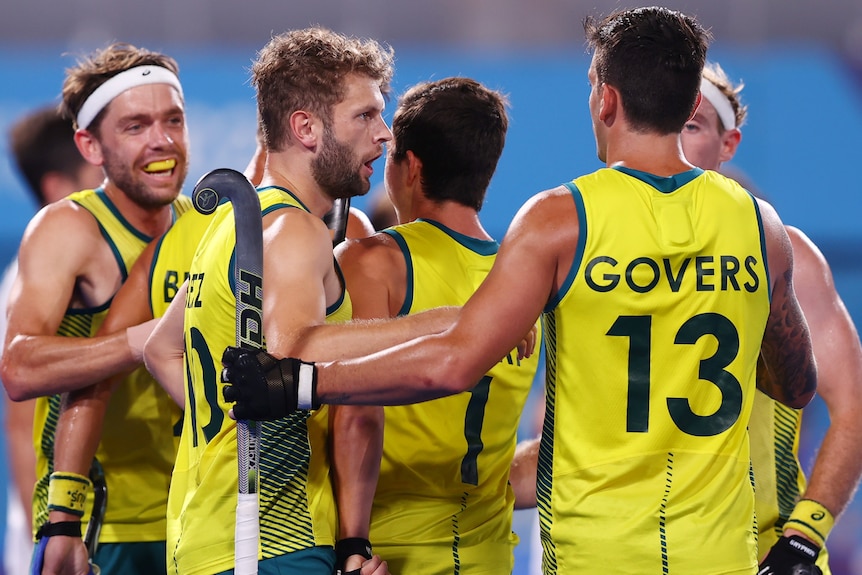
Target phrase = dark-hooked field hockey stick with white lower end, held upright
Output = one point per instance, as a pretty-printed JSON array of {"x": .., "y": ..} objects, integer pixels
[{"x": 229, "y": 184}]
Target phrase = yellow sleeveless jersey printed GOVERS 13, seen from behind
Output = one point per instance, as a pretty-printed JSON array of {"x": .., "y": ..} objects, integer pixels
[{"x": 652, "y": 345}]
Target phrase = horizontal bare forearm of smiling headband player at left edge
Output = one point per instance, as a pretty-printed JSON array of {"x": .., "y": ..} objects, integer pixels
[{"x": 35, "y": 366}]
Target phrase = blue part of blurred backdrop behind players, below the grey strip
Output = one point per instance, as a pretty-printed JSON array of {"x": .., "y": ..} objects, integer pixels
[{"x": 800, "y": 148}]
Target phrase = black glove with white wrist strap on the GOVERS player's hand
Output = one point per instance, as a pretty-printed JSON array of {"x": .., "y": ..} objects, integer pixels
[{"x": 265, "y": 388}]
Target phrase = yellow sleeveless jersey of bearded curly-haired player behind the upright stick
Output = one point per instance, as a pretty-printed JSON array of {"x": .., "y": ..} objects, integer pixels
[{"x": 297, "y": 507}]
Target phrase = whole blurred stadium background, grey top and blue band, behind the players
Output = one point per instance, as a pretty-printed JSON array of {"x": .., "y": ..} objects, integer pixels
[{"x": 801, "y": 62}]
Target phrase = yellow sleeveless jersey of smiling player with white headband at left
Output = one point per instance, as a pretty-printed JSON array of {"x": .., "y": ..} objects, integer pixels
[{"x": 137, "y": 449}]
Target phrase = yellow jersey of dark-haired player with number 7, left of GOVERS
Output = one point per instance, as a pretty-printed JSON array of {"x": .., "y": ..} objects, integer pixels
[{"x": 443, "y": 502}]
